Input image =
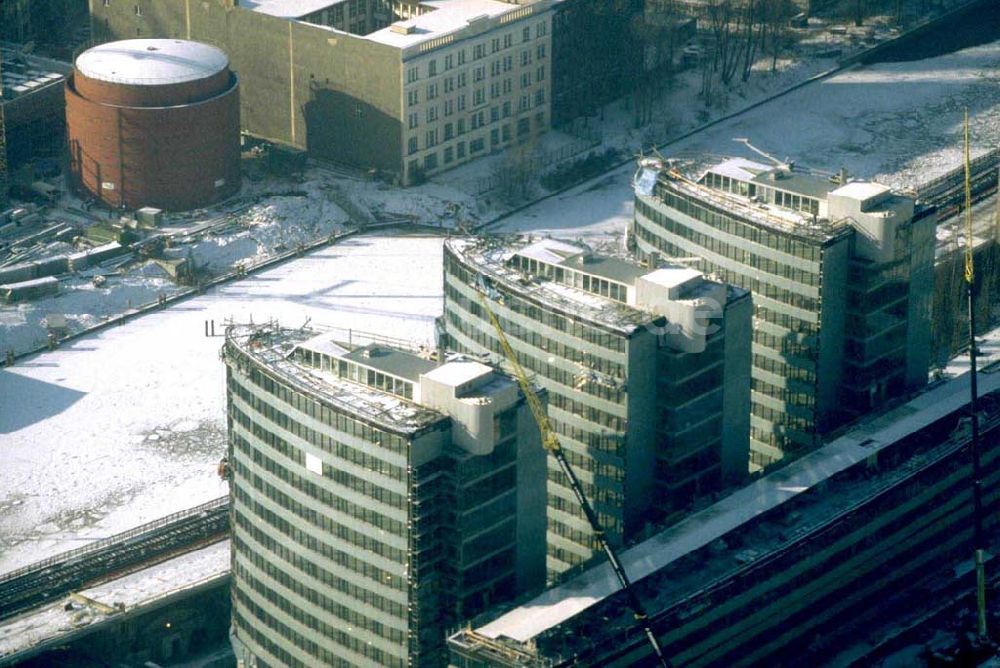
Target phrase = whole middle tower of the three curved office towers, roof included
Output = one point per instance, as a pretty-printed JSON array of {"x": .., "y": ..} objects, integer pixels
[{"x": 647, "y": 370}]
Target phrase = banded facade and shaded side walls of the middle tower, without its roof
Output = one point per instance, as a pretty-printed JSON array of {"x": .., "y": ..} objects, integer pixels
[{"x": 642, "y": 424}]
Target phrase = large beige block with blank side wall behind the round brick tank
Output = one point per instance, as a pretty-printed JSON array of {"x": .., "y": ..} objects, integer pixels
[{"x": 411, "y": 89}]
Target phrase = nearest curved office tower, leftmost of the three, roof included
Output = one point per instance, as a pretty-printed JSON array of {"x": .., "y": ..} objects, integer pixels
[{"x": 378, "y": 498}]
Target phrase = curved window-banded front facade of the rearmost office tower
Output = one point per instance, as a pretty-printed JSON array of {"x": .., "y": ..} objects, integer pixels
[{"x": 785, "y": 275}]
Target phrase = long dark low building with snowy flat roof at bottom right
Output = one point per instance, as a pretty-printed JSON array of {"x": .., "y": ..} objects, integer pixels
[{"x": 791, "y": 570}]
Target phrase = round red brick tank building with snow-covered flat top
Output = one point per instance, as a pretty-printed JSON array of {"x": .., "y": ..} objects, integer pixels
[{"x": 154, "y": 122}]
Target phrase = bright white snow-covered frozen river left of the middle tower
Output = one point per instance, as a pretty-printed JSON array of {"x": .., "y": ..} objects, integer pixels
[{"x": 127, "y": 425}]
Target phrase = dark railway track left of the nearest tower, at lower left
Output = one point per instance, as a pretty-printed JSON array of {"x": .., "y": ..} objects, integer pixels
[{"x": 112, "y": 557}]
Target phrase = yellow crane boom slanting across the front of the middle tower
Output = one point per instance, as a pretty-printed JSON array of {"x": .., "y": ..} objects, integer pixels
[{"x": 550, "y": 441}]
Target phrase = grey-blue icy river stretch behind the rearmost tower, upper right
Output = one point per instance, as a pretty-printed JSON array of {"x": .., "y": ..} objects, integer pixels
[{"x": 899, "y": 123}]
